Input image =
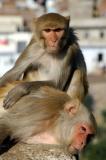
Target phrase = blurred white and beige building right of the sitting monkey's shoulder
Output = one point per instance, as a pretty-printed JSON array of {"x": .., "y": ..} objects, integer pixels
[{"x": 92, "y": 39}]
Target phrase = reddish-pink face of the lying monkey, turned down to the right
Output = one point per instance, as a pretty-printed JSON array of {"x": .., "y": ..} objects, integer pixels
[{"x": 82, "y": 134}]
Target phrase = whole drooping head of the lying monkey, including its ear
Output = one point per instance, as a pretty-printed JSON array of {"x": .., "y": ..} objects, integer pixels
[{"x": 78, "y": 127}]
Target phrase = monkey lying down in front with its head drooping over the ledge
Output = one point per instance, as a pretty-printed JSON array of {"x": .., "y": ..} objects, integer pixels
[{"x": 48, "y": 116}]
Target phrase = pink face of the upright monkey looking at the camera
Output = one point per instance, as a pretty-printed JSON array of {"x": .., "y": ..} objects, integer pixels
[{"x": 52, "y": 38}]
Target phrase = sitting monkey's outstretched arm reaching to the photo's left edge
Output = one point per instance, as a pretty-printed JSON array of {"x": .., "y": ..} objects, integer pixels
[{"x": 27, "y": 58}]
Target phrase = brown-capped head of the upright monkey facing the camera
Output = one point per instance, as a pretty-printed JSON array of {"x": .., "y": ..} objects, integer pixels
[{"x": 51, "y": 30}]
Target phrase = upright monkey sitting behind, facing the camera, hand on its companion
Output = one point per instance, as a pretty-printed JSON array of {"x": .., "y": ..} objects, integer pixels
[{"x": 53, "y": 54}]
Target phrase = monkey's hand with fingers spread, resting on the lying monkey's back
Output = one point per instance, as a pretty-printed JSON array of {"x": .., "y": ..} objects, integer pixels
[{"x": 14, "y": 95}]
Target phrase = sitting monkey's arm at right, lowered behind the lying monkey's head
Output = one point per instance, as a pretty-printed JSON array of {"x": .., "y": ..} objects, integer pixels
[{"x": 79, "y": 84}]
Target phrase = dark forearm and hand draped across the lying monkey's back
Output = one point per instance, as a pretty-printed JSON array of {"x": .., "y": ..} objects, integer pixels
[{"x": 22, "y": 89}]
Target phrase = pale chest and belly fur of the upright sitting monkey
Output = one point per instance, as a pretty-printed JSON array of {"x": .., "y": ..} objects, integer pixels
[{"x": 50, "y": 70}]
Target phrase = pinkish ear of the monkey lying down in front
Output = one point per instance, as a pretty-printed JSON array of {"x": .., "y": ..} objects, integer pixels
[{"x": 72, "y": 107}]
